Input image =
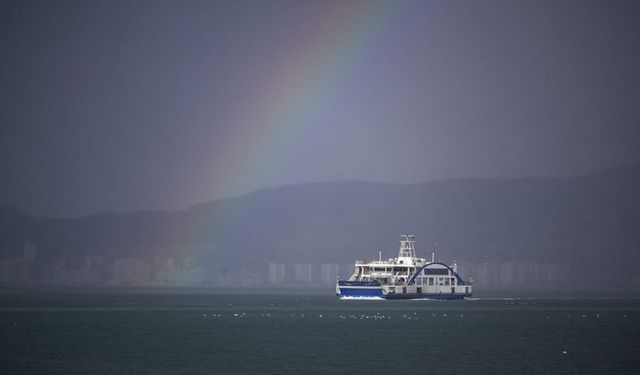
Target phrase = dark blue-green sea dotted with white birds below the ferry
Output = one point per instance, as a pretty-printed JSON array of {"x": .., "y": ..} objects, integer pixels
[{"x": 294, "y": 333}]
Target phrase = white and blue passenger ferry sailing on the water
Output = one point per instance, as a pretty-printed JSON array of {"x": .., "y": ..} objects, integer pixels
[{"x": 405, "y": 277}]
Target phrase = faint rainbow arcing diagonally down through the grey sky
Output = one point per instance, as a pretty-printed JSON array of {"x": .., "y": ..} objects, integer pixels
[{"x": 326, "y": 48}]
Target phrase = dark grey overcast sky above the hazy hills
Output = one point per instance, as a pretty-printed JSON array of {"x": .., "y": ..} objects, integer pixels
[{"x": 129, "y": 105}]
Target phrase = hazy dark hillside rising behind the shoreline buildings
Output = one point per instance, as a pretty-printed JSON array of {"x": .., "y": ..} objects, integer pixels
[{"x": 588, "y": 224}]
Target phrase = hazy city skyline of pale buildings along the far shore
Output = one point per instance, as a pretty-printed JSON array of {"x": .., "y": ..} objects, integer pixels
[{"x": 188, "y": 271}]
